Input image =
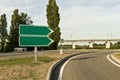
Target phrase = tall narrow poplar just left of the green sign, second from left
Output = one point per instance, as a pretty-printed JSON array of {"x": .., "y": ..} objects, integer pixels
[{"x": 14, "y": 28}]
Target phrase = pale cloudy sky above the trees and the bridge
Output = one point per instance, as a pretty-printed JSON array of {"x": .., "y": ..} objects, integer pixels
[{"x": 79, "y": 19}]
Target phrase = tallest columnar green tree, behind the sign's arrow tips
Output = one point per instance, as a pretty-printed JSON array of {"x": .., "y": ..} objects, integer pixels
[{"x": 53, "y": 19}]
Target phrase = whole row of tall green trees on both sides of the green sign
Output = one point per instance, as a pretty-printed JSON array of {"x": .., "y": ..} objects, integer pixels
[{"x": 10, "y": 41}]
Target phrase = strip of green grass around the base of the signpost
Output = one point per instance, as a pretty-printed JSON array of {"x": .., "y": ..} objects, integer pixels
[{"x": 26, "y": 61}]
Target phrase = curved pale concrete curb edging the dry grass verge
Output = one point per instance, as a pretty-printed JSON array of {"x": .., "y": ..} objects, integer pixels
[{"x": 49, "y": 75}]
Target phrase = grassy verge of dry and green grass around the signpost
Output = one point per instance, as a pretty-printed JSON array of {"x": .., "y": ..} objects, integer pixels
[{"x": 24, "y": 68}]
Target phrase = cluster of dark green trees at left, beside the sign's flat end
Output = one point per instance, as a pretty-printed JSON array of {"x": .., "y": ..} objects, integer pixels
[{"x": 8, "y": 42}]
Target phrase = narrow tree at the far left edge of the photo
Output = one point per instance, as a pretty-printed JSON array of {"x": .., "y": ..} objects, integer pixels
[{"x": 3, "y": 31}]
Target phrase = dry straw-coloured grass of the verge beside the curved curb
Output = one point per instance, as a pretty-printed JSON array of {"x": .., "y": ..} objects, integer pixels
[{"x": 30, "y": 71}]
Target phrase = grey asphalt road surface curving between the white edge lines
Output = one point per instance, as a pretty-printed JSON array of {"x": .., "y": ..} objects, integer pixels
[{"x": 91, "y": 66}]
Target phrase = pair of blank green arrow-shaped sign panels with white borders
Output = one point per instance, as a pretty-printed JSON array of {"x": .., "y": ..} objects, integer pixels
[{"x": 30, "y": 35}]
